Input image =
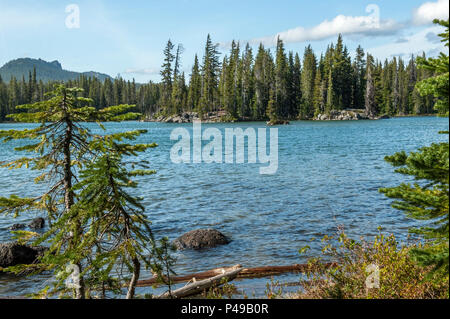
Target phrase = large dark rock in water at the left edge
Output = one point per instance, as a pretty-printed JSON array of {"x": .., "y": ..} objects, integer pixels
[{"x": 12, "y": 254}]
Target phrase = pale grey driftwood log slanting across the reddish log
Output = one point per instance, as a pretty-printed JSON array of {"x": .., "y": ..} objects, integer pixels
[{"x": 198, "y": 286}]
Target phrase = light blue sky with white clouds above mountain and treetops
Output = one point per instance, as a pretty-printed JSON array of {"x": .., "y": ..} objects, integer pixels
[{"x": 128, "y": 37}]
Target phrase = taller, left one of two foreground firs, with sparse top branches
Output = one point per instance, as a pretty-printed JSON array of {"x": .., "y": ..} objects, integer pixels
[{"x": 63, "y": 145}]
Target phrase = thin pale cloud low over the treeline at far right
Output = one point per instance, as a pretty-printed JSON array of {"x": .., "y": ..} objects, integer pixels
[{"x": 417, "y": 43}]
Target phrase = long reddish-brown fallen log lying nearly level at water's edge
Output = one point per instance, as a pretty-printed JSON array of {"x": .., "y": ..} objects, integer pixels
[{"x": 256, "y": 272}]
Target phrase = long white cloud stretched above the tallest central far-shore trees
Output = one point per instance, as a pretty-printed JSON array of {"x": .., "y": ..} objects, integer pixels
[{"x": 346, "y": 25}]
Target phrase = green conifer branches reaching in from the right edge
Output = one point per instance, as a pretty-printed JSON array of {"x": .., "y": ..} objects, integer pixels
[{"x": 428, "y": 200}]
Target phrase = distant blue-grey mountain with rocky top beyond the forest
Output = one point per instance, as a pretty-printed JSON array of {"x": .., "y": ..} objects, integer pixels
[{"x": 45, "y": 71}]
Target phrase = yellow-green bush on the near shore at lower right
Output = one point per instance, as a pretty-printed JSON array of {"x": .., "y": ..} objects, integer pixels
[{"x": 355, "y": 274}]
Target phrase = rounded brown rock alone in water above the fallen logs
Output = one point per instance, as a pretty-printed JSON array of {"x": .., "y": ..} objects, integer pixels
[{"x": 201, "y": 238}]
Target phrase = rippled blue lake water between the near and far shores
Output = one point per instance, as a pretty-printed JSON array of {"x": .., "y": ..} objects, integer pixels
[{"x": 329, "y": 174}]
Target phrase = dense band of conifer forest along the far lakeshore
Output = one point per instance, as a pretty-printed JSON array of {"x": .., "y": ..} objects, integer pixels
[{"x": 252, "y": 85}]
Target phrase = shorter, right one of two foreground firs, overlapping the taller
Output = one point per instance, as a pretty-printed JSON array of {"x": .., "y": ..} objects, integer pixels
[{"x": 110, "y": 212}]
